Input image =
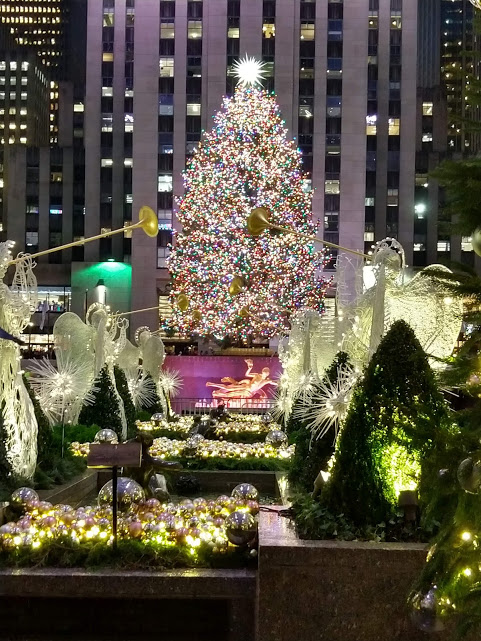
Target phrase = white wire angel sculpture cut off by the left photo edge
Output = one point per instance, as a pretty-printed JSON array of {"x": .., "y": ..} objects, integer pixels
[{"x": 19, "y": 422}]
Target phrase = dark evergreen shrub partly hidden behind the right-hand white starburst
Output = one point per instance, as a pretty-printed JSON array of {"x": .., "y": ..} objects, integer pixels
[{"x": 311, "y": 455}]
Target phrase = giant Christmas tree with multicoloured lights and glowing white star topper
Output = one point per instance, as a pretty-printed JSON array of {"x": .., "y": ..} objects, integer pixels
[{"x": 227, "y": 282}]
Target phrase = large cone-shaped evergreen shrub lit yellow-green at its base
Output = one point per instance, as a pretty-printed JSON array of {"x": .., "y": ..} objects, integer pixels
[{"x": 396, "y": 419}]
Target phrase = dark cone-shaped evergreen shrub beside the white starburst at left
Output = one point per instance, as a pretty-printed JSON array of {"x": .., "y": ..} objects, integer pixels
[{"x": 104, "y": 411}]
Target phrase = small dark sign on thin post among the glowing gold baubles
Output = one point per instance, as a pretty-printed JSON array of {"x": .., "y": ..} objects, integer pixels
[{"x": 105, "y": 455}]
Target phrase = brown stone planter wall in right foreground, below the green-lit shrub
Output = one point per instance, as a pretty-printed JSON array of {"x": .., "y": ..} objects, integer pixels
[{"x": 333, "y": 591}]
